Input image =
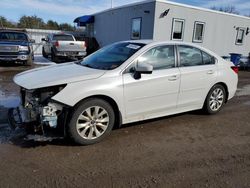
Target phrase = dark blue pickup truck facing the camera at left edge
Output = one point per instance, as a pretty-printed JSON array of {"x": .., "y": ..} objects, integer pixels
[{"x": 16, "y": 46}]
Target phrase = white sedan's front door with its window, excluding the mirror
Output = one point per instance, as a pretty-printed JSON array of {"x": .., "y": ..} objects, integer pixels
[{"x": 153, "y": 94}]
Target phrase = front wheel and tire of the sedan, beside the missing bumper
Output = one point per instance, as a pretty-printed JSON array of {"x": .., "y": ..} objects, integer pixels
[{"x": 91, "y": 121}]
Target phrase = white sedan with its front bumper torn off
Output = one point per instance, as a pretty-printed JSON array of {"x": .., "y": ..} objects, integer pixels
[{"x": 122, "y": 83}]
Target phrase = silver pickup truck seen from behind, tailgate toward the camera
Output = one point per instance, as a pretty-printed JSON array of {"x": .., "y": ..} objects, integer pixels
[{"x": 63, "y": 46}]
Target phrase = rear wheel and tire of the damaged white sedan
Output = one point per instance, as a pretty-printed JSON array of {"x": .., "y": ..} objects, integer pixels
[{"x": 215, "y": 99}]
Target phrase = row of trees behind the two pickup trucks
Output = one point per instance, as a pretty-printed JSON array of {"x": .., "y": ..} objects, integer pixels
[{"x": 34, "y": 22}]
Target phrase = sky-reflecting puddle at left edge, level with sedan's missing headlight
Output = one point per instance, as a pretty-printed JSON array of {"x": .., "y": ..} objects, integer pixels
[{"x": 9, "y": 100}]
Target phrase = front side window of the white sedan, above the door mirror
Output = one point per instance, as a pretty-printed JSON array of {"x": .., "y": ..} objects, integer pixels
[{"x": 161, "y": 57}]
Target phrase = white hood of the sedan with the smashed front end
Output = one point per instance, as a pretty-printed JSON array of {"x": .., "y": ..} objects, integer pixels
[{"x": 56, "y": 75}]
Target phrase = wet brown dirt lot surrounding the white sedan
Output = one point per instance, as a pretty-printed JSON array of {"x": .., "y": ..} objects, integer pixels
[{"x": 186, "y": 150}]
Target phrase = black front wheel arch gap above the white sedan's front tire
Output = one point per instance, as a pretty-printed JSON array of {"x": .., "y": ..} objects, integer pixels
[{"x": 112, "y": 102}]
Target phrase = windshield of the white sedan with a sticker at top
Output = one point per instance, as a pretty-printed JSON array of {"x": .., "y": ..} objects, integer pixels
[{"x": 112, "y": 56}]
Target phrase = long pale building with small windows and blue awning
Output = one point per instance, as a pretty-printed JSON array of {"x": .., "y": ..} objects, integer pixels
[{"x": 221, "y": 32}]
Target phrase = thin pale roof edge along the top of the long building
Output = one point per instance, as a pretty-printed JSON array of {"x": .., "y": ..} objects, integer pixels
[{"x": 173, "y": 3}]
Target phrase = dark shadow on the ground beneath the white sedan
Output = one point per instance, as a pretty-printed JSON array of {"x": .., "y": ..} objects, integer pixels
[{"x": 22, "y": 141}]
